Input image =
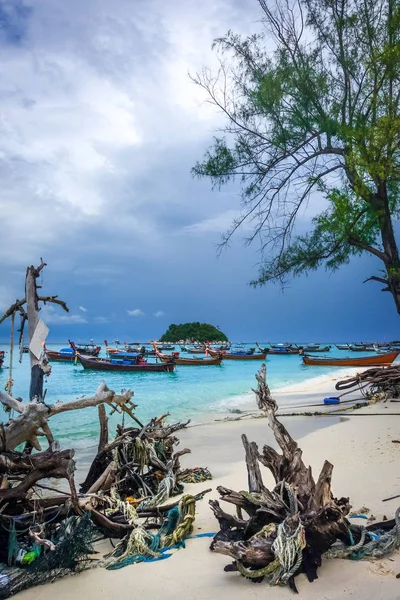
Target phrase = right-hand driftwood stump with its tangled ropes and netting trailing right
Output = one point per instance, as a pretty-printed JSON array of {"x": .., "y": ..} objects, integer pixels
[{"x": 279, "y": 533}]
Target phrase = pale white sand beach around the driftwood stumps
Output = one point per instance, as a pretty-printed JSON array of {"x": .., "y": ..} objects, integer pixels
[{"x": 359, "y": 444}]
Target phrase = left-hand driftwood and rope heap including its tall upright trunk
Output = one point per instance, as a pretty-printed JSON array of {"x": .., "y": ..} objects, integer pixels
[{"x": 47, "y": 532}]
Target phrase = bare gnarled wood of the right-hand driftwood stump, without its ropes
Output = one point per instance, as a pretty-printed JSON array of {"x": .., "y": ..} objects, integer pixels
[{"x": 295, "y": 499}]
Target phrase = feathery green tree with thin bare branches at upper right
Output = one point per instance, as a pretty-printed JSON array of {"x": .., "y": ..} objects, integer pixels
[{"x": 318, "y": 115}]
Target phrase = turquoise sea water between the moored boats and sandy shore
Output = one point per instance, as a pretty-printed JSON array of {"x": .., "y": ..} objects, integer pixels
[{"x": 190, "y": 392}]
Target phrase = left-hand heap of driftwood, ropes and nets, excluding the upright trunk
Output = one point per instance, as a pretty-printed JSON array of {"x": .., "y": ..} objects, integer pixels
[{"x": 123, "y": 496}]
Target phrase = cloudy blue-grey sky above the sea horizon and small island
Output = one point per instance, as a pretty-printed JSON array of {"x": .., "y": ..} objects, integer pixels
[{"x": 100, "y": 125}]
